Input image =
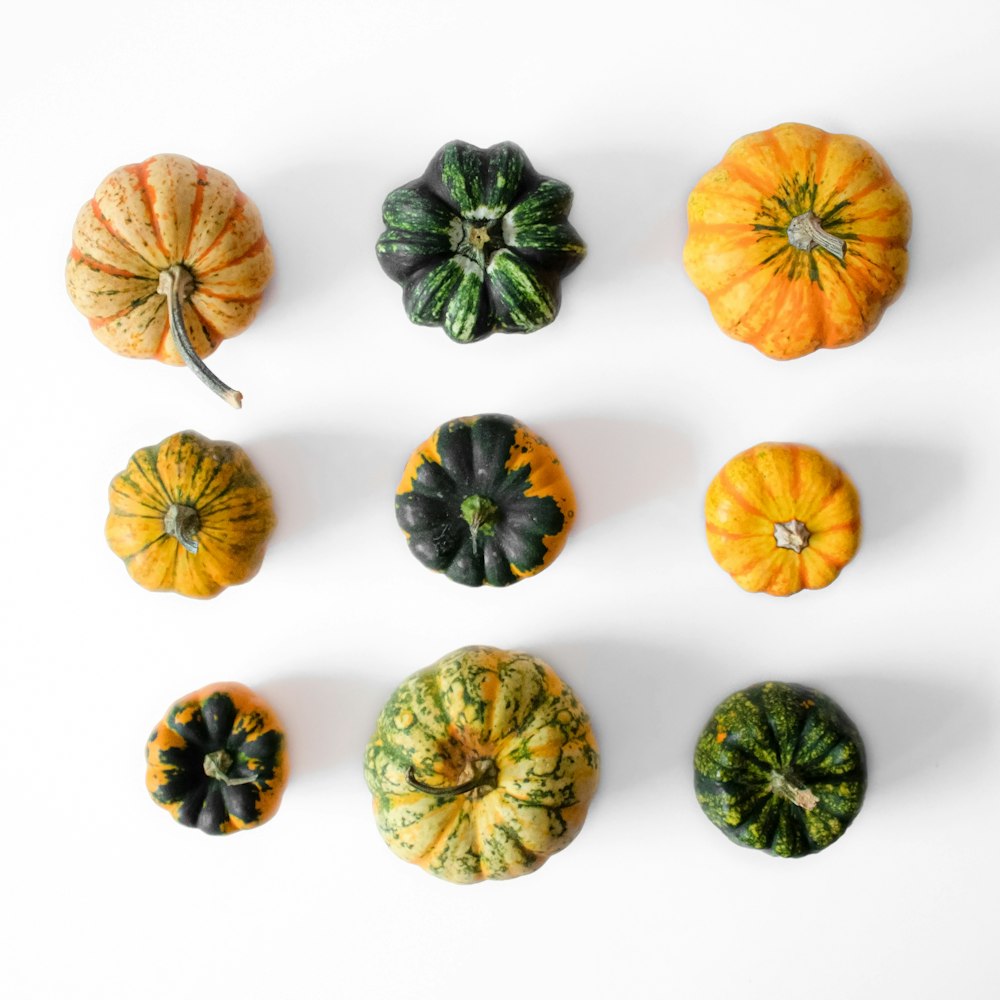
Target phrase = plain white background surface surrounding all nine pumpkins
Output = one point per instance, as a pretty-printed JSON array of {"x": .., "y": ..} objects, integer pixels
[{"x": 318, "y": 110}]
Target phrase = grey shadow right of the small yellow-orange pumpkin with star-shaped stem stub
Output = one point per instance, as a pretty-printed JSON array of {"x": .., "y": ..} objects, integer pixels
[{"x": 899, "y": 485}]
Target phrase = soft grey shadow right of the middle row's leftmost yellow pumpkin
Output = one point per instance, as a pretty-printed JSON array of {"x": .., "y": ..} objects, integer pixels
[{"x": 320, "y": 476}]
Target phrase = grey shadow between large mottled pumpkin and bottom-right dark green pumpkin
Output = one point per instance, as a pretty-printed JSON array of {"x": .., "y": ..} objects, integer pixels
[{"x": 647, "y": 705}]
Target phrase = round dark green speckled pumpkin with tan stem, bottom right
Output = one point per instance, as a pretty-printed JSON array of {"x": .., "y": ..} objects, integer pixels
[{"x": 781, "y": 768}]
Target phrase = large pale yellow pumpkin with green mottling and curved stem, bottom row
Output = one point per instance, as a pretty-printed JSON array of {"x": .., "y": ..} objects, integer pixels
[{"x": 482, "y": 766}]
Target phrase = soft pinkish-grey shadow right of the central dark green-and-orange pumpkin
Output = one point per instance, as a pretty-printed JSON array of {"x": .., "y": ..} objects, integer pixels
[{"x": 616, "y": 464}]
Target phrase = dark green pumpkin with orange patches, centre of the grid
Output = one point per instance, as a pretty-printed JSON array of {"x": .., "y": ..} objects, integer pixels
[{"x": 485, "y": 500}]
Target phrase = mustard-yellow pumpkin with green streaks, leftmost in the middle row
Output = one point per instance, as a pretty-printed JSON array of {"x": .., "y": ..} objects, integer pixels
[{"x": 190, "y": 515}]
